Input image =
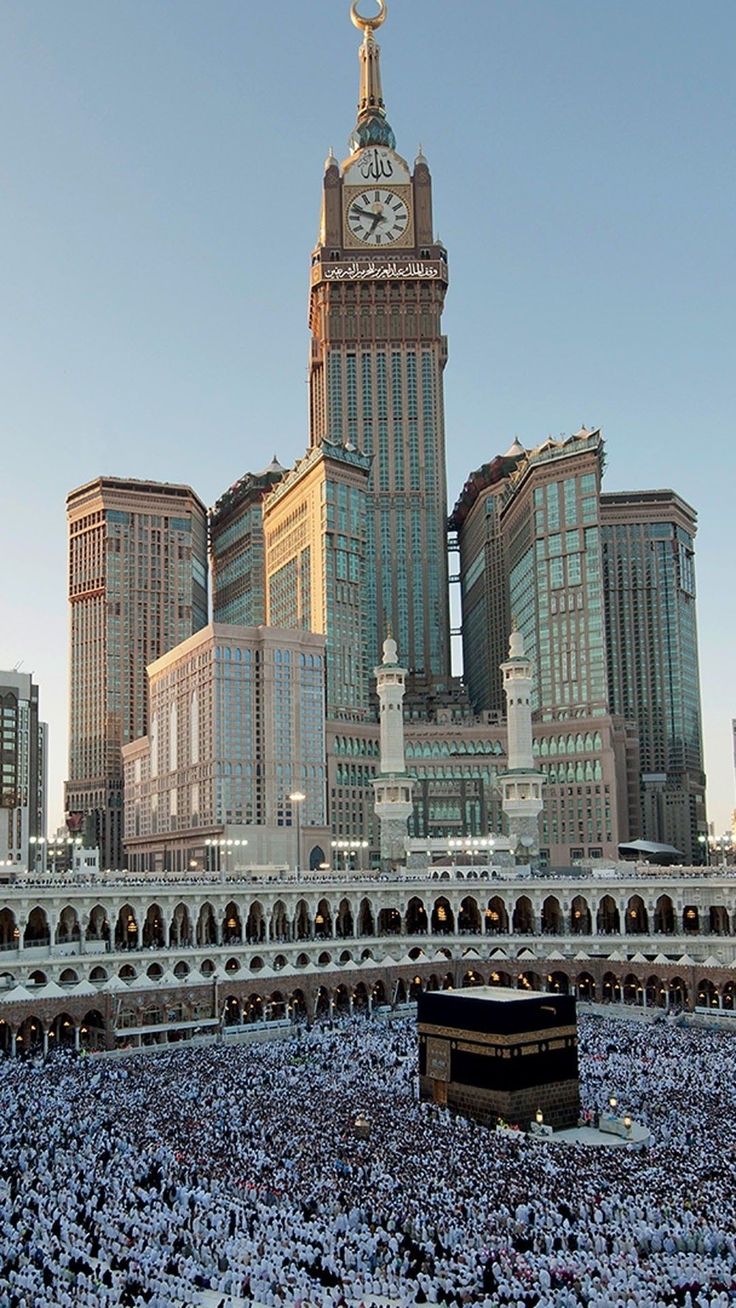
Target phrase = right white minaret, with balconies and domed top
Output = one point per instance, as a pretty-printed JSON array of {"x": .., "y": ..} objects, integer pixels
[{"x": 522, "y": 783}]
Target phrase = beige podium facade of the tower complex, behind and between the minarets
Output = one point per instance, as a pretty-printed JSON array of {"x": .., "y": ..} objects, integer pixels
[{"x": 592, "y": 767}]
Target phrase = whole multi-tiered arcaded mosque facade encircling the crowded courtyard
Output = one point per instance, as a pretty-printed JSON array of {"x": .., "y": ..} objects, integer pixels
[{"x": 127, "y": 963}]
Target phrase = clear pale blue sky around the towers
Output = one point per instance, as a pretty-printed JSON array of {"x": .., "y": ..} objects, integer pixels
[{"x": 161, "y": 171}]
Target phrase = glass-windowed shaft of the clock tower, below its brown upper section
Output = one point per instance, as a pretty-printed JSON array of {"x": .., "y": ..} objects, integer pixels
[{"x": 397, "y": 398}]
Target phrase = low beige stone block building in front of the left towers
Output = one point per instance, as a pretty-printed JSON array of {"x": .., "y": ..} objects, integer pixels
[{"x": 237, "y": 728}]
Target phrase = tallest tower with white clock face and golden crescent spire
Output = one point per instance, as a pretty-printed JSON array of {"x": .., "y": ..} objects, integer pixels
[{"x": 378, "y": 284}]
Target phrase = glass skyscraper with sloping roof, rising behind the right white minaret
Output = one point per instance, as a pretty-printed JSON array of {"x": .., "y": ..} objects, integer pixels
[{"x": 529, "y": 536}]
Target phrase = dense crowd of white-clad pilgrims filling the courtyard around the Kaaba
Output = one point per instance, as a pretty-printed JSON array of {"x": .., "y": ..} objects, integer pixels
[{"x": 232, "y": 1177}]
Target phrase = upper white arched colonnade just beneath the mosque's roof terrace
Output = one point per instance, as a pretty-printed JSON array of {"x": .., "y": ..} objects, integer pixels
[{"x": 143, "y": 923}]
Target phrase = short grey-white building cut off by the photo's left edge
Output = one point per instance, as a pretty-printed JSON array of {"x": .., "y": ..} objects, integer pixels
[{"x": 24, "y": 768}]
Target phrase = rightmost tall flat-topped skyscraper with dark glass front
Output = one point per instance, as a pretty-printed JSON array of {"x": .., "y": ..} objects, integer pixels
[{"x": 653, "y": 656}]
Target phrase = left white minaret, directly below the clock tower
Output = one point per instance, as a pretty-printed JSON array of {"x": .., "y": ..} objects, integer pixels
[{"x": 393, "y": 788}]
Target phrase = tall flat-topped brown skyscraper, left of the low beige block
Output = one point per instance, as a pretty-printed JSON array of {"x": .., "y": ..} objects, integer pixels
[{"x": 138, "y": 587}]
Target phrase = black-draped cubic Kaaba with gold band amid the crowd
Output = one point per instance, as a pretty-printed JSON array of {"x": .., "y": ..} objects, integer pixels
[{"x": 491, "y": 1054}]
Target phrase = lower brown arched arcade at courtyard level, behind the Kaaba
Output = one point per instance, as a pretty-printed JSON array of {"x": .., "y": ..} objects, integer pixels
[{"x": 144, "y": 1017}]
